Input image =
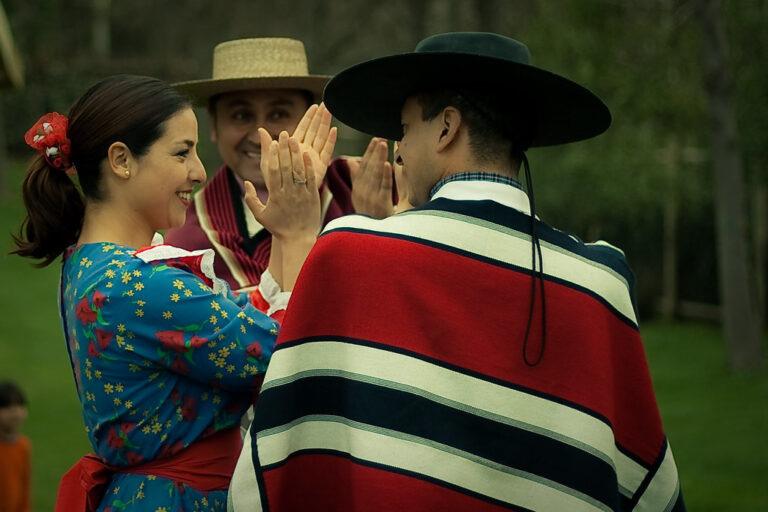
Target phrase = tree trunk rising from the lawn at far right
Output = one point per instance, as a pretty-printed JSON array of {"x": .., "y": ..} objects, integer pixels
[{"x": 737, "y": 289}]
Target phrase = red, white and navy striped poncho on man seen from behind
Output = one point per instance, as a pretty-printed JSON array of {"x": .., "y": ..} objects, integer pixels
[{"x": 398, "y": 381}]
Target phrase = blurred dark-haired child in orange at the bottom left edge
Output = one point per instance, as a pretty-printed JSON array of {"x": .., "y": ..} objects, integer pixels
[{"x": 15, "y": 449}]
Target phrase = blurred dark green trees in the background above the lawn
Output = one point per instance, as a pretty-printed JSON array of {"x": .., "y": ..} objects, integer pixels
[{"x": 671, "y": 179}]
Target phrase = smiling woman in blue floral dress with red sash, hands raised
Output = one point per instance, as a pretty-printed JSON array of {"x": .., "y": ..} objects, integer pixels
[{"x": 165, "y": 357}]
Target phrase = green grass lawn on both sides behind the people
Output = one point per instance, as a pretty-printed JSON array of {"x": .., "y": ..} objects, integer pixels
[{"x": 717, "y": 422}]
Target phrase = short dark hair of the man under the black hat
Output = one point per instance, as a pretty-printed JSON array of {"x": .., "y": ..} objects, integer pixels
[{"x": 491, "y": 133}]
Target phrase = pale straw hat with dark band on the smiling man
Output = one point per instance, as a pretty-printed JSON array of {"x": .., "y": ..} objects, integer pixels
[{"x": 257, "y": 63}]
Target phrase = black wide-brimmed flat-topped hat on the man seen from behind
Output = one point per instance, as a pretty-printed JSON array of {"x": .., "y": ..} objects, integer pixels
[{"x": 369, "y": 96}]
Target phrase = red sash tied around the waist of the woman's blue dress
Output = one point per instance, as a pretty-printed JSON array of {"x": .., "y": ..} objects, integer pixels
[{"x": 206, "y": 465}]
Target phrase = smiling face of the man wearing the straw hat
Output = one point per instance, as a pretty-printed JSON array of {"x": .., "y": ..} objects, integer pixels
[{"x": 237, "y": 116}]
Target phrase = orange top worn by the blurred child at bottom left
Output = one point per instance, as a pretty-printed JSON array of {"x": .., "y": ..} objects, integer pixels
[{"x": 15, "y": 489}]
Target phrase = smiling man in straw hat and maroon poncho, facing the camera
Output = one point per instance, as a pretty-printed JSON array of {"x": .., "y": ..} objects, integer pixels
[{"x": 257, "y": 83}]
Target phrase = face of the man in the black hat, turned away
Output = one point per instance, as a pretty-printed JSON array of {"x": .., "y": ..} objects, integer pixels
[{"x": 415, "y": 152}]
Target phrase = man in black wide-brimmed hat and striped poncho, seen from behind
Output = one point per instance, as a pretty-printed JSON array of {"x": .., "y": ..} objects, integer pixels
[{"x": 462, "y": 355}]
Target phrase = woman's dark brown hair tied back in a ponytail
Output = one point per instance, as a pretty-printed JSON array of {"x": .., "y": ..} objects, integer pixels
[{"x": 125, "y": 108}]
